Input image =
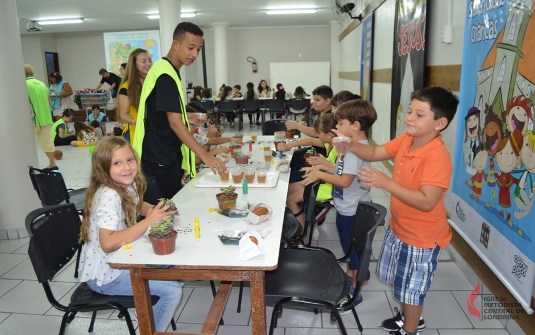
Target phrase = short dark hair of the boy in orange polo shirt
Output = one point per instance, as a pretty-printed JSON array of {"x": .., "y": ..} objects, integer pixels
[{"x": 442, "y": 101}]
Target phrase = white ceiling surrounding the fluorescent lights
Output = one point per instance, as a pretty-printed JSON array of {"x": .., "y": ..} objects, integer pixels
[{"x": 117, "y": 15}]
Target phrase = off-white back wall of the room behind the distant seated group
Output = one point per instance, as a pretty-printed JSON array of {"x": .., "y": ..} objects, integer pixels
[{"x": 81, "y": 55}]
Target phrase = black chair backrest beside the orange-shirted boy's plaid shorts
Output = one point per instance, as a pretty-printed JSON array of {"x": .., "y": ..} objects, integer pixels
[{"x": 368, "y": 217}]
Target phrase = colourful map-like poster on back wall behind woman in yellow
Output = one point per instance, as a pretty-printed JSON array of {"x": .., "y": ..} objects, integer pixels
[{"x": 119, "y": 45}]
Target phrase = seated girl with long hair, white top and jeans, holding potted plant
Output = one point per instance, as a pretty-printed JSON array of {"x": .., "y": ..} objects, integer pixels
[{"x": 113, "y": 202}]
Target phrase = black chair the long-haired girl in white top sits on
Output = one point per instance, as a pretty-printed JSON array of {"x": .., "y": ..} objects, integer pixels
[{"x": 54, "y": 233}]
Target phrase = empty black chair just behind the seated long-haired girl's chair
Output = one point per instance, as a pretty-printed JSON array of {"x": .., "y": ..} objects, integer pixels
[{"x": 51, "y": 189}]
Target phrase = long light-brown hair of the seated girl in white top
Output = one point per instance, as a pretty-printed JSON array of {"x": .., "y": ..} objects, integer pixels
[{"x": 100, "y": 176}]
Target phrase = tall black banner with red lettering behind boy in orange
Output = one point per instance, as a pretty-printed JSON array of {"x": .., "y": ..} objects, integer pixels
[{"x": 408, "y": 62}]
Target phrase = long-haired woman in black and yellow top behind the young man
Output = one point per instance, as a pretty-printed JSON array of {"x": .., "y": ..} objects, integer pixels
[{"x": 139, "y": 64}]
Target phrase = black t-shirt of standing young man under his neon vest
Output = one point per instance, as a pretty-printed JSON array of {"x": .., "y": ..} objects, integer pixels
[{"x": 161, "y": 145}]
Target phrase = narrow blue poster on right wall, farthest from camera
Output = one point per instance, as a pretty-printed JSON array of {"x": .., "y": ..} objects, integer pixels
[{"x": 366, "y": 59}]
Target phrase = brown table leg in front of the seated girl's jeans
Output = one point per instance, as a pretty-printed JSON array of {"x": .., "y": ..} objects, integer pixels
[{"x": 142, "y": 300}]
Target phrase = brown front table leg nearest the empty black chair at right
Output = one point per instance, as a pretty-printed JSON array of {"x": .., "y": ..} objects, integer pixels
[{"x": 258, "y": 303}]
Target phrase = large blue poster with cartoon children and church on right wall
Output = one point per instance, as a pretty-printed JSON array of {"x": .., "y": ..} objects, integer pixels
[{"x": 493, "y": 182}]
